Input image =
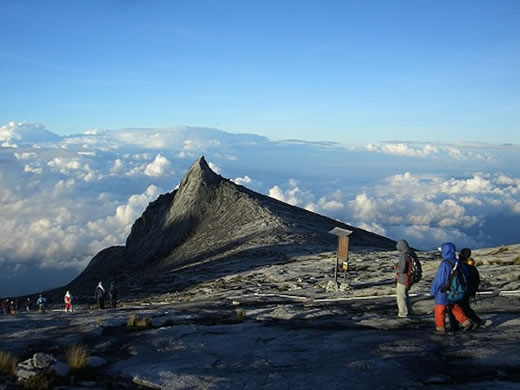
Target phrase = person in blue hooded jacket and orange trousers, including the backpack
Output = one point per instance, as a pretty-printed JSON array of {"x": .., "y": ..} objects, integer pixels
[{"x": 449, "y": 287}]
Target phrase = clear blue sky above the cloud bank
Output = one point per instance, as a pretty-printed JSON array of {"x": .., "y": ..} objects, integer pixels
[{"x": 345, "y": 71}]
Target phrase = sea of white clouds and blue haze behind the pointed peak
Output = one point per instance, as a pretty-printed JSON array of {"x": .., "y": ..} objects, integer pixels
[{"x": 64, "y": 198}]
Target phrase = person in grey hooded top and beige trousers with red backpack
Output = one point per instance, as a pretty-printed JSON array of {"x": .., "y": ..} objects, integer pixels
[{"x": 408, "y": 272}]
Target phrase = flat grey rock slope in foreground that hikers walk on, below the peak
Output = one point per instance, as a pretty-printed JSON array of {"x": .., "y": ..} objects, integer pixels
[{"x": 278, "y": 326}]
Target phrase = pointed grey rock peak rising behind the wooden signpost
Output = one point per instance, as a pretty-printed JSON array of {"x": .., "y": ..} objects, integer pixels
[{"x": 204, "y": 226}]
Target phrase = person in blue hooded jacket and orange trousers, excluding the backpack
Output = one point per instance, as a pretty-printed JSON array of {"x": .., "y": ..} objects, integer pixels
[{"x": 439, "y": 288}]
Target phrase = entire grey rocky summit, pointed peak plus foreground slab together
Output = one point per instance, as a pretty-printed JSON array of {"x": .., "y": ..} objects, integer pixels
[{"x": 224, "y": 288}]
